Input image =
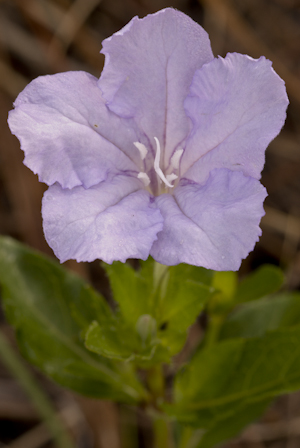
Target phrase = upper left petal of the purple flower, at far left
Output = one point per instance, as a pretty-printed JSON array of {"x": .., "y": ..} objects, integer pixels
[{"x": 68, "y": 134}]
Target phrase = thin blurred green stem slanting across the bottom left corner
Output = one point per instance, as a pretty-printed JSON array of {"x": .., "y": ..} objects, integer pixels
[{"x": 38, "y": 398}]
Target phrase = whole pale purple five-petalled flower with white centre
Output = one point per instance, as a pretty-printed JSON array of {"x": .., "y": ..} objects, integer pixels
[{"x": 162, "y": 155}]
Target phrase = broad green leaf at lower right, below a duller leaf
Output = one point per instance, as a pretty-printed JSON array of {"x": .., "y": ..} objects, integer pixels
[{"x": 222, "y": 382}]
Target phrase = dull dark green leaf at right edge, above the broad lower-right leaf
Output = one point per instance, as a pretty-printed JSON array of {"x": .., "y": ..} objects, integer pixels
[{"x": 256, "y": 318}]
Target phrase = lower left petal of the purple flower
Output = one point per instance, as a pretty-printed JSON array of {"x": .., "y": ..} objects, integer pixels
[{"x": 113, "y": 220}]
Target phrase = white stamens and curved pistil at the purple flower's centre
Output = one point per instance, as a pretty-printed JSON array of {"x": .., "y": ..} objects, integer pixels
[{"x": 174, "y": 164}]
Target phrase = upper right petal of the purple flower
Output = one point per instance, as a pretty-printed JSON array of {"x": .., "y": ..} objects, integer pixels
[{"x": 237, "y": 105}]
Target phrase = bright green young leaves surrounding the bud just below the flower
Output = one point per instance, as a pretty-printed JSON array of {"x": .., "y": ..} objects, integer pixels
[{"x": 173, "y": 297}]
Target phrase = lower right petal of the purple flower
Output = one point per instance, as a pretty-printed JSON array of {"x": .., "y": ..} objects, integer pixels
[{"x": 214, "y": 225}]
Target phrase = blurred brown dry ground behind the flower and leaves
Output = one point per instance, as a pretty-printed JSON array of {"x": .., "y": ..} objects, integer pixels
[{"x": 40, "y": 37}]
